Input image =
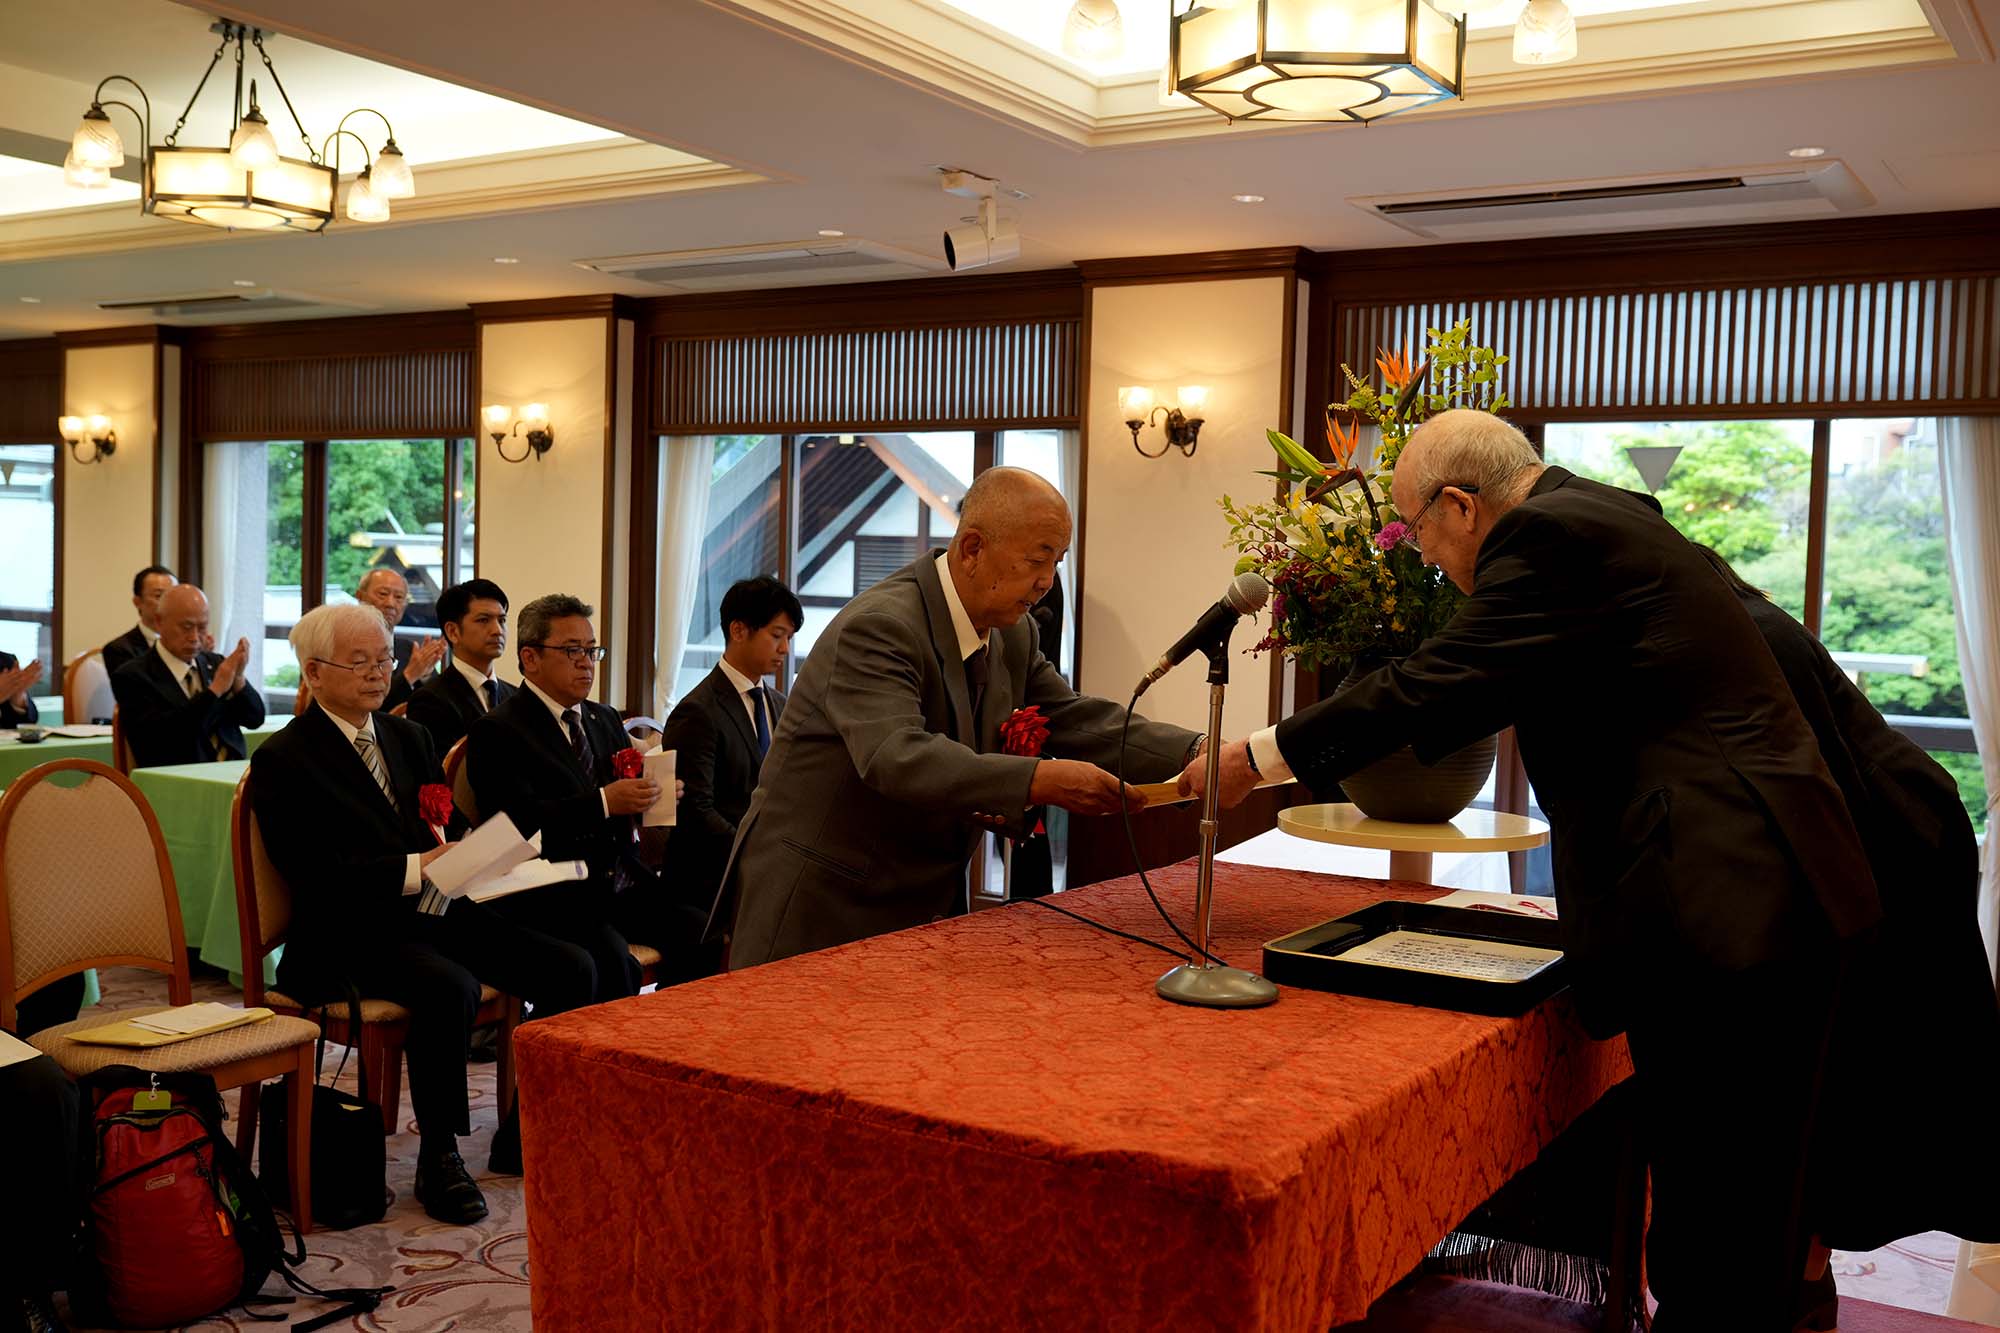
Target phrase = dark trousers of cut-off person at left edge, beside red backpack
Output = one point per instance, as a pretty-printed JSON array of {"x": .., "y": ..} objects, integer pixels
[{"x": 39, "y": 1126}]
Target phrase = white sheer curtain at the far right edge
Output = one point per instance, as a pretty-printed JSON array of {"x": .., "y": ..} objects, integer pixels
[{"x": 1969, "y": 473}]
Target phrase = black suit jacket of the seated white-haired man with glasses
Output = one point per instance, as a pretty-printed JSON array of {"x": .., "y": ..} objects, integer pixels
[{"x": 337, "y": 840}]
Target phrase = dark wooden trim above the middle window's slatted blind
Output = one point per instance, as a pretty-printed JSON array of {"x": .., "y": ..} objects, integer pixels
[{"x": 917, "y": 303}]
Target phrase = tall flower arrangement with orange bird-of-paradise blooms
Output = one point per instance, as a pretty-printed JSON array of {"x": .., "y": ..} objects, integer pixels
[{"x": 1333, "y": 547}]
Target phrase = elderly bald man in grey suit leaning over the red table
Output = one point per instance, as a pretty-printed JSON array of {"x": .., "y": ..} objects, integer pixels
[{"x": 889, "y": 760}]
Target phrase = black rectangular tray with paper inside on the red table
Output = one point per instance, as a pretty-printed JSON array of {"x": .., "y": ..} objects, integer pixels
[{"x": 1311, "y": 960}]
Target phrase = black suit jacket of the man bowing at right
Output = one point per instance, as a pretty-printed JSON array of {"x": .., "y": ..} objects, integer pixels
[{"x": 1693, "y": 820}]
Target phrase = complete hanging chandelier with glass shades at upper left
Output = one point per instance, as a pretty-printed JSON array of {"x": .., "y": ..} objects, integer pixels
[{"x": 249, "y": 185}]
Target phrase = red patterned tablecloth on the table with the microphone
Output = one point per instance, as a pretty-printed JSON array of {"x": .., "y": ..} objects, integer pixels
[{"x": 993, "y": 1124}]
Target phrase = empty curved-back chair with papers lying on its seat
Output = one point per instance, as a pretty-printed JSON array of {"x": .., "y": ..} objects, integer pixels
[{"x": 107, "y": 900}]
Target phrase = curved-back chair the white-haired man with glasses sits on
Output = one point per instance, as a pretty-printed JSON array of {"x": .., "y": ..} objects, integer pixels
[{"x": 263, "y": 922}]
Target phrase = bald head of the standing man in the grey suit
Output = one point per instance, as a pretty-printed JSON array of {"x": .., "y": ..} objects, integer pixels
[{"x": 1013, "y": 533}]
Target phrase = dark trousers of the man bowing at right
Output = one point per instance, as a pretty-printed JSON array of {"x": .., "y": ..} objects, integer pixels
[{"x": 1729, "y": 1082}]
